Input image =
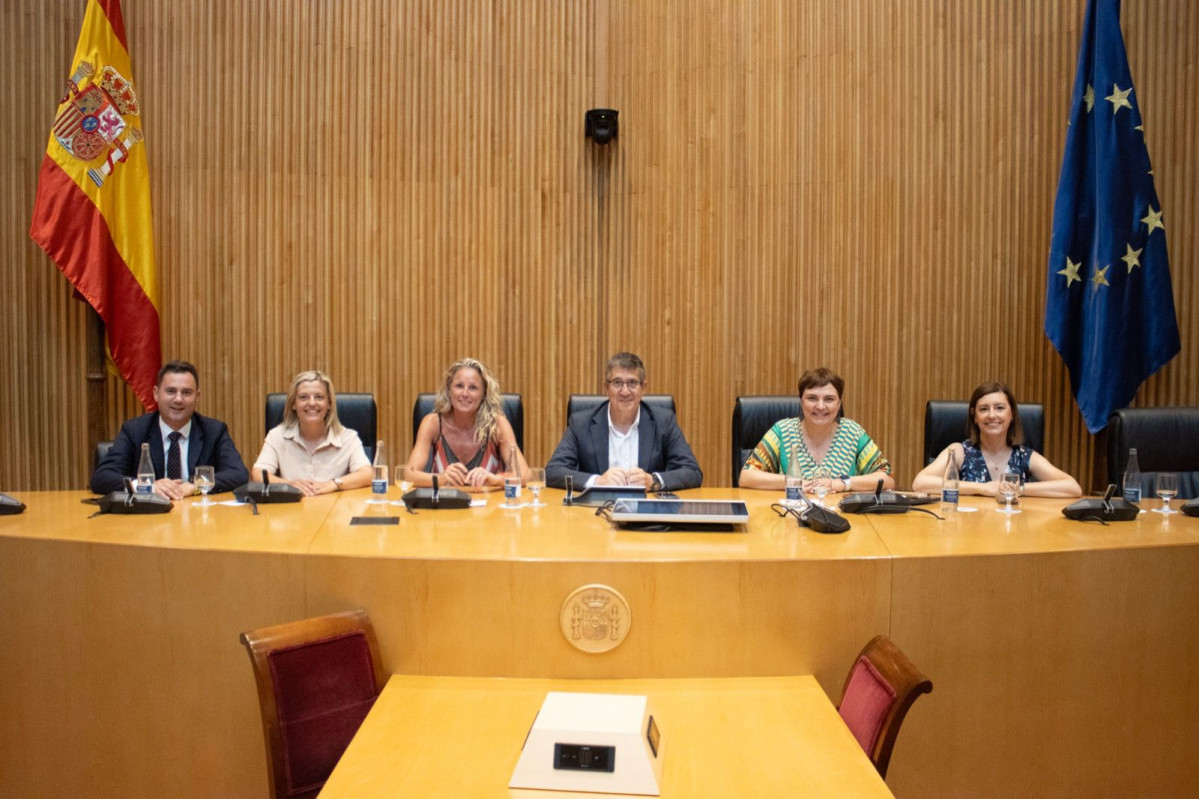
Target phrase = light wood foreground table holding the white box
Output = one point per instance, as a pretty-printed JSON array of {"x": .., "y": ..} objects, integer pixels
[{"x": 734, "y": 737}]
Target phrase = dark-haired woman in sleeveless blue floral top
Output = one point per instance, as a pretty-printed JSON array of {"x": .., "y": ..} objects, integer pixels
[{"x": 997, "y": 444}]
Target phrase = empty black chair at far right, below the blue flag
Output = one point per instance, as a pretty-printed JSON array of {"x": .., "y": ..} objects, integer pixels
[{"x": 1167, "y": 440}]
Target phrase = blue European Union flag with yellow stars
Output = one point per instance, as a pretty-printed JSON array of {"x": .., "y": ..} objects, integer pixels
[{"x": 1110, "y": 305}]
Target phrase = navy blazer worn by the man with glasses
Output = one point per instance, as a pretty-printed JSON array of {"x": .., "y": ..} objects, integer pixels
[{"x": 662, "y": 449}]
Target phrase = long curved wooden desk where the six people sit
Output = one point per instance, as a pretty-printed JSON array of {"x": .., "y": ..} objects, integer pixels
[{"x": 1062, "y": 653}]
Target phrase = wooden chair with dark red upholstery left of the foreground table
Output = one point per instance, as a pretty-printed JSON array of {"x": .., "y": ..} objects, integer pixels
[{"x": 317, "y": 681}]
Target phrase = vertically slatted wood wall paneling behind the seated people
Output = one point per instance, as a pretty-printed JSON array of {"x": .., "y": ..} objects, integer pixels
[{"x": 379, "y": 188}]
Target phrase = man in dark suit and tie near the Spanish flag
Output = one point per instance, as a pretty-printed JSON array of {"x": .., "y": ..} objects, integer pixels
[{"x": 179, "y": 438}]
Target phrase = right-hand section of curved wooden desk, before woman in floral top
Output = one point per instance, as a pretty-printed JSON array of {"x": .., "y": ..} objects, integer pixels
[{"x": 1058, "y": 670}]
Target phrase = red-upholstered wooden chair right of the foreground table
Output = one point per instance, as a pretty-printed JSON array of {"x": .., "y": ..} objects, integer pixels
[{"x": 882, "y": 687}]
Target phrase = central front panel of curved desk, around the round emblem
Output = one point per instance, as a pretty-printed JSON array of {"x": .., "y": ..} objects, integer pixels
[{"x": 689, "y": 620}]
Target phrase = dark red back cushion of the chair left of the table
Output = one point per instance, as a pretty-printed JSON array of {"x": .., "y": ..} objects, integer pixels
[{"x": 323, "y": 692}]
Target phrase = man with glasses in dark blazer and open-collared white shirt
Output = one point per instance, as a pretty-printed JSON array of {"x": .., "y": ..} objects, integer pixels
[{"x": 625, "y": 442}]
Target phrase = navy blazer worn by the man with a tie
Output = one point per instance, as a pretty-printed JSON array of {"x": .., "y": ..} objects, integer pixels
[{"x": 210, "y": 444}]
